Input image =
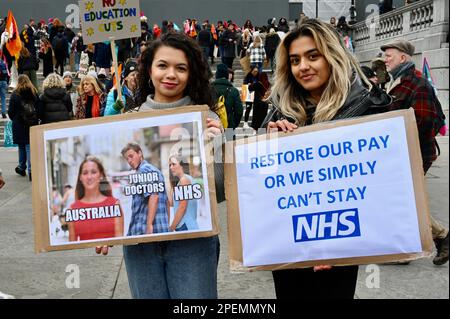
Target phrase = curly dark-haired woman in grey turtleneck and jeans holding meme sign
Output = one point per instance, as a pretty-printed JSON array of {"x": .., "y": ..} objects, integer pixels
[{"x": 173, "y": 73}]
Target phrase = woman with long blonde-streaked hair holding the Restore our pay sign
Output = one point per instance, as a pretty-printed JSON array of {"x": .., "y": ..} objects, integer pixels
[{"x": 317, "y": 80}]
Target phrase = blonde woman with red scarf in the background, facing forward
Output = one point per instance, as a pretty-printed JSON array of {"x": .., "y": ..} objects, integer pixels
[{"x": 91, "y": 99}]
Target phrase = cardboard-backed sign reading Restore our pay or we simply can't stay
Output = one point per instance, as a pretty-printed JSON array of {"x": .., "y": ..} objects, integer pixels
[{"x": 337, "y": 193}]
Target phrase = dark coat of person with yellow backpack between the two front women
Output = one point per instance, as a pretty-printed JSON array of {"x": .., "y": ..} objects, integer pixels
[{"x": 233, "y": 101}]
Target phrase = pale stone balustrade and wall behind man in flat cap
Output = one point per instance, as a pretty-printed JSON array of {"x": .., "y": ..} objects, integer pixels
[{"x": 424, "y": 23}]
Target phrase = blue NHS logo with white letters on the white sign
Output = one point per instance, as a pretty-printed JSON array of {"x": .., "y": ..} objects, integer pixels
[{"x": 326, "y": 225}]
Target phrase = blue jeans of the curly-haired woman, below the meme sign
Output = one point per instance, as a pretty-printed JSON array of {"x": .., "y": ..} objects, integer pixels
[{"x": 177, "y": 269}]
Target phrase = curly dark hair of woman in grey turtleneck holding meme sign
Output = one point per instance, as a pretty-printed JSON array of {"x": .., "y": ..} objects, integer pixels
[{"x": 198, "y": 87}]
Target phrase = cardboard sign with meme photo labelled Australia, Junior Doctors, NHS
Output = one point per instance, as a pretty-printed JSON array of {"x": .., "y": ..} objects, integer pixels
[{"x": 113, "y": 186}]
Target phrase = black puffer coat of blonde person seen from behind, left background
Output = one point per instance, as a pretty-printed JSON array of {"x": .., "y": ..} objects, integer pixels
[{"x": 55, "y": 105}]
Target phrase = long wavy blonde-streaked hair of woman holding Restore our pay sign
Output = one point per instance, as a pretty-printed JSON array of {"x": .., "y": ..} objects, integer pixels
[{"x": 290, "y": 97}]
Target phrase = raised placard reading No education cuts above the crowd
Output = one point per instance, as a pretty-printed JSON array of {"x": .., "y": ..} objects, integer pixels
[{"x": 103, "y": 20}]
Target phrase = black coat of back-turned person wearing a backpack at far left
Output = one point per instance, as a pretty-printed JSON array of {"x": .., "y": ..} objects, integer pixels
[{"x": 21, "y": 131}]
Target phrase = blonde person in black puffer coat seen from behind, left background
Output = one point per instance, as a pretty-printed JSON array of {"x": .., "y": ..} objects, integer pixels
[{"x": 56, "y": 104}]
